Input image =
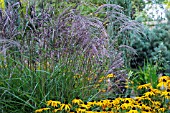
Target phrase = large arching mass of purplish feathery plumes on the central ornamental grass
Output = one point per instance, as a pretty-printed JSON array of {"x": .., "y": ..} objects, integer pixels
[{"x": 89, "y": 35}]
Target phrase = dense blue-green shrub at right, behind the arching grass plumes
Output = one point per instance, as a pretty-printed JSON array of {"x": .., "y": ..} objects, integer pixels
[{"x": 153, "y": 47}]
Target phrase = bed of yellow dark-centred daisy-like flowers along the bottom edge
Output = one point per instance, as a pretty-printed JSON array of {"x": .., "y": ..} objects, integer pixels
[{"x": 152, "y": 101}]
